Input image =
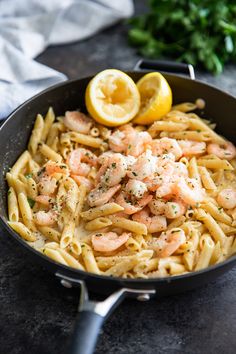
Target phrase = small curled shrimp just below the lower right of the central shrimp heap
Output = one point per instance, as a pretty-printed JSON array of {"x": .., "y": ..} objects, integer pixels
[{"x": 171, "y": 209}]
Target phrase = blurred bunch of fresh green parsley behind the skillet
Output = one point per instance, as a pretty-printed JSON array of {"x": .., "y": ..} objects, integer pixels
[{"x": 193, "y": 31}]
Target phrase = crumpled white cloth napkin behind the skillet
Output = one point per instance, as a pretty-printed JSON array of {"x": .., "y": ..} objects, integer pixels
[{"x": 27, "y": 27}]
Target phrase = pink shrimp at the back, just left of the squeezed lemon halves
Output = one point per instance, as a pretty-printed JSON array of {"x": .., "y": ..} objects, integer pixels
[{"x": 78, "y": 122}]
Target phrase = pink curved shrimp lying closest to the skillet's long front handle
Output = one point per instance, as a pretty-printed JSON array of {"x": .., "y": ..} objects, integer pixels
[{"x": 108, "y": 242}]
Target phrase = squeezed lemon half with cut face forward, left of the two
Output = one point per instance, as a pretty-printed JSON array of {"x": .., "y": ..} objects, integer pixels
[{"x": 112, "y": 98}]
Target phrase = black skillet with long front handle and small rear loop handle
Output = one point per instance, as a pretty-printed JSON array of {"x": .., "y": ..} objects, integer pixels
[{"x": 14, "y": 134}]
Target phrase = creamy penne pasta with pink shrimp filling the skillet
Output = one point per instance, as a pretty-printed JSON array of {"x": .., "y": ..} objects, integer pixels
[{"x": 130, "y": 202}]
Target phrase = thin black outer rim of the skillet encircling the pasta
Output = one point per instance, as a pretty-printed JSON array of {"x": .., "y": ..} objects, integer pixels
[{"x": 84, "y": 274}]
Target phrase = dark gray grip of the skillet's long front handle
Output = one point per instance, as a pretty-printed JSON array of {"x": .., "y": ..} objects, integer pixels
[{"x": 86, "y": 332}]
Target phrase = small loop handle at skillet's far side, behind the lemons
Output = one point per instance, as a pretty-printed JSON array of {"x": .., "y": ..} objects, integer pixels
[{"x": 165, "y": 66}]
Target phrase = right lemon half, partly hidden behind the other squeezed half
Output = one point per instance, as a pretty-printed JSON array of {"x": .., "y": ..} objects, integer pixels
[{"x": 156, "y": 98}]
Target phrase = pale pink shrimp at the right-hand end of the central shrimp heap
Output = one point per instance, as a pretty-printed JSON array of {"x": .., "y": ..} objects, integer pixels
[{"x": 189, "y": 190}]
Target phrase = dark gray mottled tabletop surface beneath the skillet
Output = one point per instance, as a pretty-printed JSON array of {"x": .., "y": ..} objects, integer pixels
[{"x": 37, "y": 314}]
